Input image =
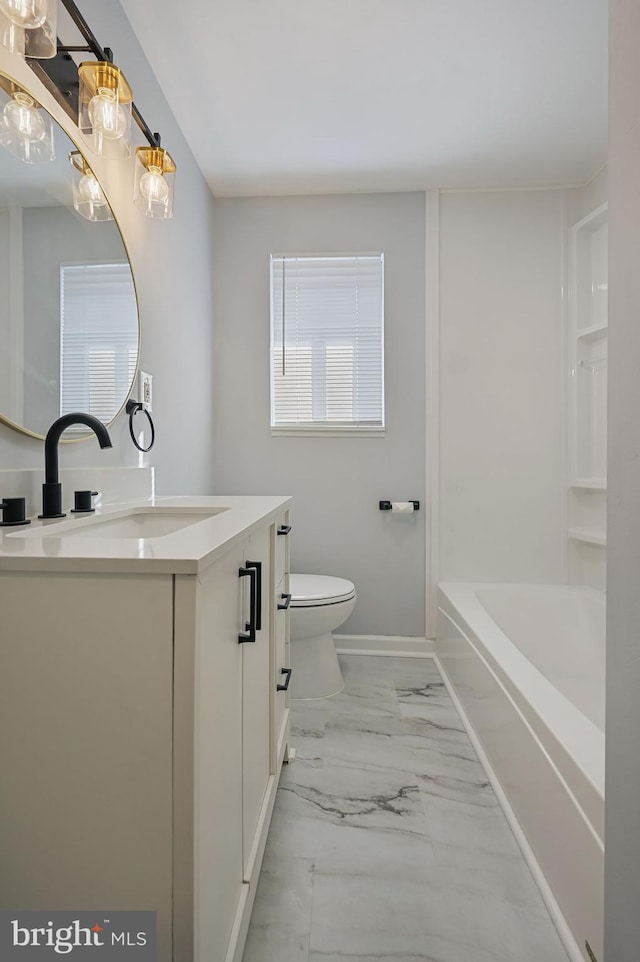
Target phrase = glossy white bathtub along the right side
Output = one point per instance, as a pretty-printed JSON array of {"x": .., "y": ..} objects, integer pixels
[{"x": 527, "y": 665}]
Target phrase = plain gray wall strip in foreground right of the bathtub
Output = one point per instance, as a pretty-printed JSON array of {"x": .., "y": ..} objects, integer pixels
[{"x": 622, "y": 829}]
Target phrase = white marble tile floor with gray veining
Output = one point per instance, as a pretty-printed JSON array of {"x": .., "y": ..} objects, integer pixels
[{"x": 387, "y": 843}]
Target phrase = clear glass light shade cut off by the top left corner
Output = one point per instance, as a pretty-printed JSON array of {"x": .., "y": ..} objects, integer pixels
[{"x": 29, "y": 27}]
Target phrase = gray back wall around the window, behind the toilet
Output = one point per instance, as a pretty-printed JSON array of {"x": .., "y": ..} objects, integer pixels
[{"x": 336, "y": 482}]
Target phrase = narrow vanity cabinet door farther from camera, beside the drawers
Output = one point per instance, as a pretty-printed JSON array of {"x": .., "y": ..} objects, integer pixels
[{"x": 256, "y": 702}]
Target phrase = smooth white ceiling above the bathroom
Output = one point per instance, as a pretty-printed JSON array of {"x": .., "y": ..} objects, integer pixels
[{"x": 298, "y": 96}]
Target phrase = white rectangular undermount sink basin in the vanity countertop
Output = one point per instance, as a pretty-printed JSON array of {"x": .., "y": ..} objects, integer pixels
[{"x": 151, "y": 522}]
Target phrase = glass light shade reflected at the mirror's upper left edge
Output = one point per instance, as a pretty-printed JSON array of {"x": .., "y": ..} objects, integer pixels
[{"x": 26, "y": 129}]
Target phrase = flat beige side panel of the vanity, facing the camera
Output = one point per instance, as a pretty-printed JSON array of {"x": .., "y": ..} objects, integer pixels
[{"x": 85, "y": 743}]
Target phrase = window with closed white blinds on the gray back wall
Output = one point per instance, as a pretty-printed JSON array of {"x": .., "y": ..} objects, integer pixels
[{"x": 327, "y": 336}]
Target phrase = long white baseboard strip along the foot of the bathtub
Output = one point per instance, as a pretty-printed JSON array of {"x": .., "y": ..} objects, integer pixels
[{"x": 565, "y": 933}]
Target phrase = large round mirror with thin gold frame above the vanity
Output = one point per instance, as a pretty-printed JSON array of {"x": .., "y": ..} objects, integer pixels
[{"x": 69, "y": 333}]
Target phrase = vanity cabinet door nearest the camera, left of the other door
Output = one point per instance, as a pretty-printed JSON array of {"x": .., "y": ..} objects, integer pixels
[{"x": 218, "y": 758}]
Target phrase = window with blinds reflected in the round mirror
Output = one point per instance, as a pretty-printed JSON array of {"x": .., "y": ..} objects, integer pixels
[{"x": 99, "y": 338}]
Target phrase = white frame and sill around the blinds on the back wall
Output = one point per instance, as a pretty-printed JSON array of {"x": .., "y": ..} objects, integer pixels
[{"x": 325, "y": 429}]
